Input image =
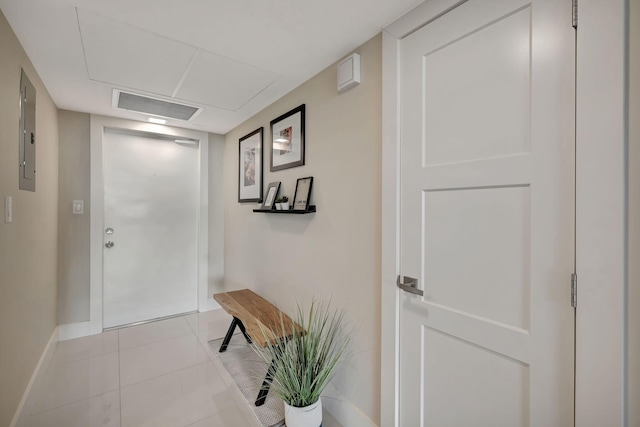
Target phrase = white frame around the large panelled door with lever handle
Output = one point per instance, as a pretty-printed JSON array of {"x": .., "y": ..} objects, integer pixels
[{"x": 601, "y": 224}]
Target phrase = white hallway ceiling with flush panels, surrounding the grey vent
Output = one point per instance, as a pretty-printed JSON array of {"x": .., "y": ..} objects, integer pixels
[{"x": 231, "y": 58}]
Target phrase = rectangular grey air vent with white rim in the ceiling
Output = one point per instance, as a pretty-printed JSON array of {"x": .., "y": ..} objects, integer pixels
[{"x": 153, "y": 106}]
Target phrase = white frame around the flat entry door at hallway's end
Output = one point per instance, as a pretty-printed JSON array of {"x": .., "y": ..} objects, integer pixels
[{"x": 98, "y": 125}]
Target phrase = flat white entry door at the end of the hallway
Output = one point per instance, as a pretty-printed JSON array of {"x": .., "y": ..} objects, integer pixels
[{"x": 151, "y": 191}]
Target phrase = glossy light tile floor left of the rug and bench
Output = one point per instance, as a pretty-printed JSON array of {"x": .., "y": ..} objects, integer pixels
[{"x": 157, "y": 374}]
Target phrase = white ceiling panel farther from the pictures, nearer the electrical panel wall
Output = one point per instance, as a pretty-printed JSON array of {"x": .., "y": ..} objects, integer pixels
[{"x": 124, "y": 55}]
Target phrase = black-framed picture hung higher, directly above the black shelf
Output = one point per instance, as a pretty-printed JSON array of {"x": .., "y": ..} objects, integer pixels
[{"x": 287, "y": 140}]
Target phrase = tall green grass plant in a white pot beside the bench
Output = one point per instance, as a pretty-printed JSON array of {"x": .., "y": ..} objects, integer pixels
[{"x": 305, "y": 362}]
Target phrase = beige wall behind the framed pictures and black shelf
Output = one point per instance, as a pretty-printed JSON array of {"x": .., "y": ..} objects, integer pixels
[{"x": 336, "y": 252}]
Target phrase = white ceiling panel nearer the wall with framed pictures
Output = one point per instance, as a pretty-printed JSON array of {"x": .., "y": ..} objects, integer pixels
[{"x": 222, "y": 82}]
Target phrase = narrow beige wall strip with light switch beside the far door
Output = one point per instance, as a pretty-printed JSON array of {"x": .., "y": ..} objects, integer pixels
[{"x": 73, "y": 230}]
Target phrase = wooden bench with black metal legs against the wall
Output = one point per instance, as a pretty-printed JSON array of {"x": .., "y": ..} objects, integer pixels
[{"x": 260, "y": 322}]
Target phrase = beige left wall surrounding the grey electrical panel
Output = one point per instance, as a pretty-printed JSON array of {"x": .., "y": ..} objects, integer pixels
[{"x": 28, "y": 244}]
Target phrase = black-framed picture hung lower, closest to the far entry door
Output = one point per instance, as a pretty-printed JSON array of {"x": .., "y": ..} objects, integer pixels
[{"x": 250, "y": 167}]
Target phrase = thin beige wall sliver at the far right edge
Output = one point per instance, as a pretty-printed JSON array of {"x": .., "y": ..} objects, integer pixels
[{"x": 633, "y": 307}]
